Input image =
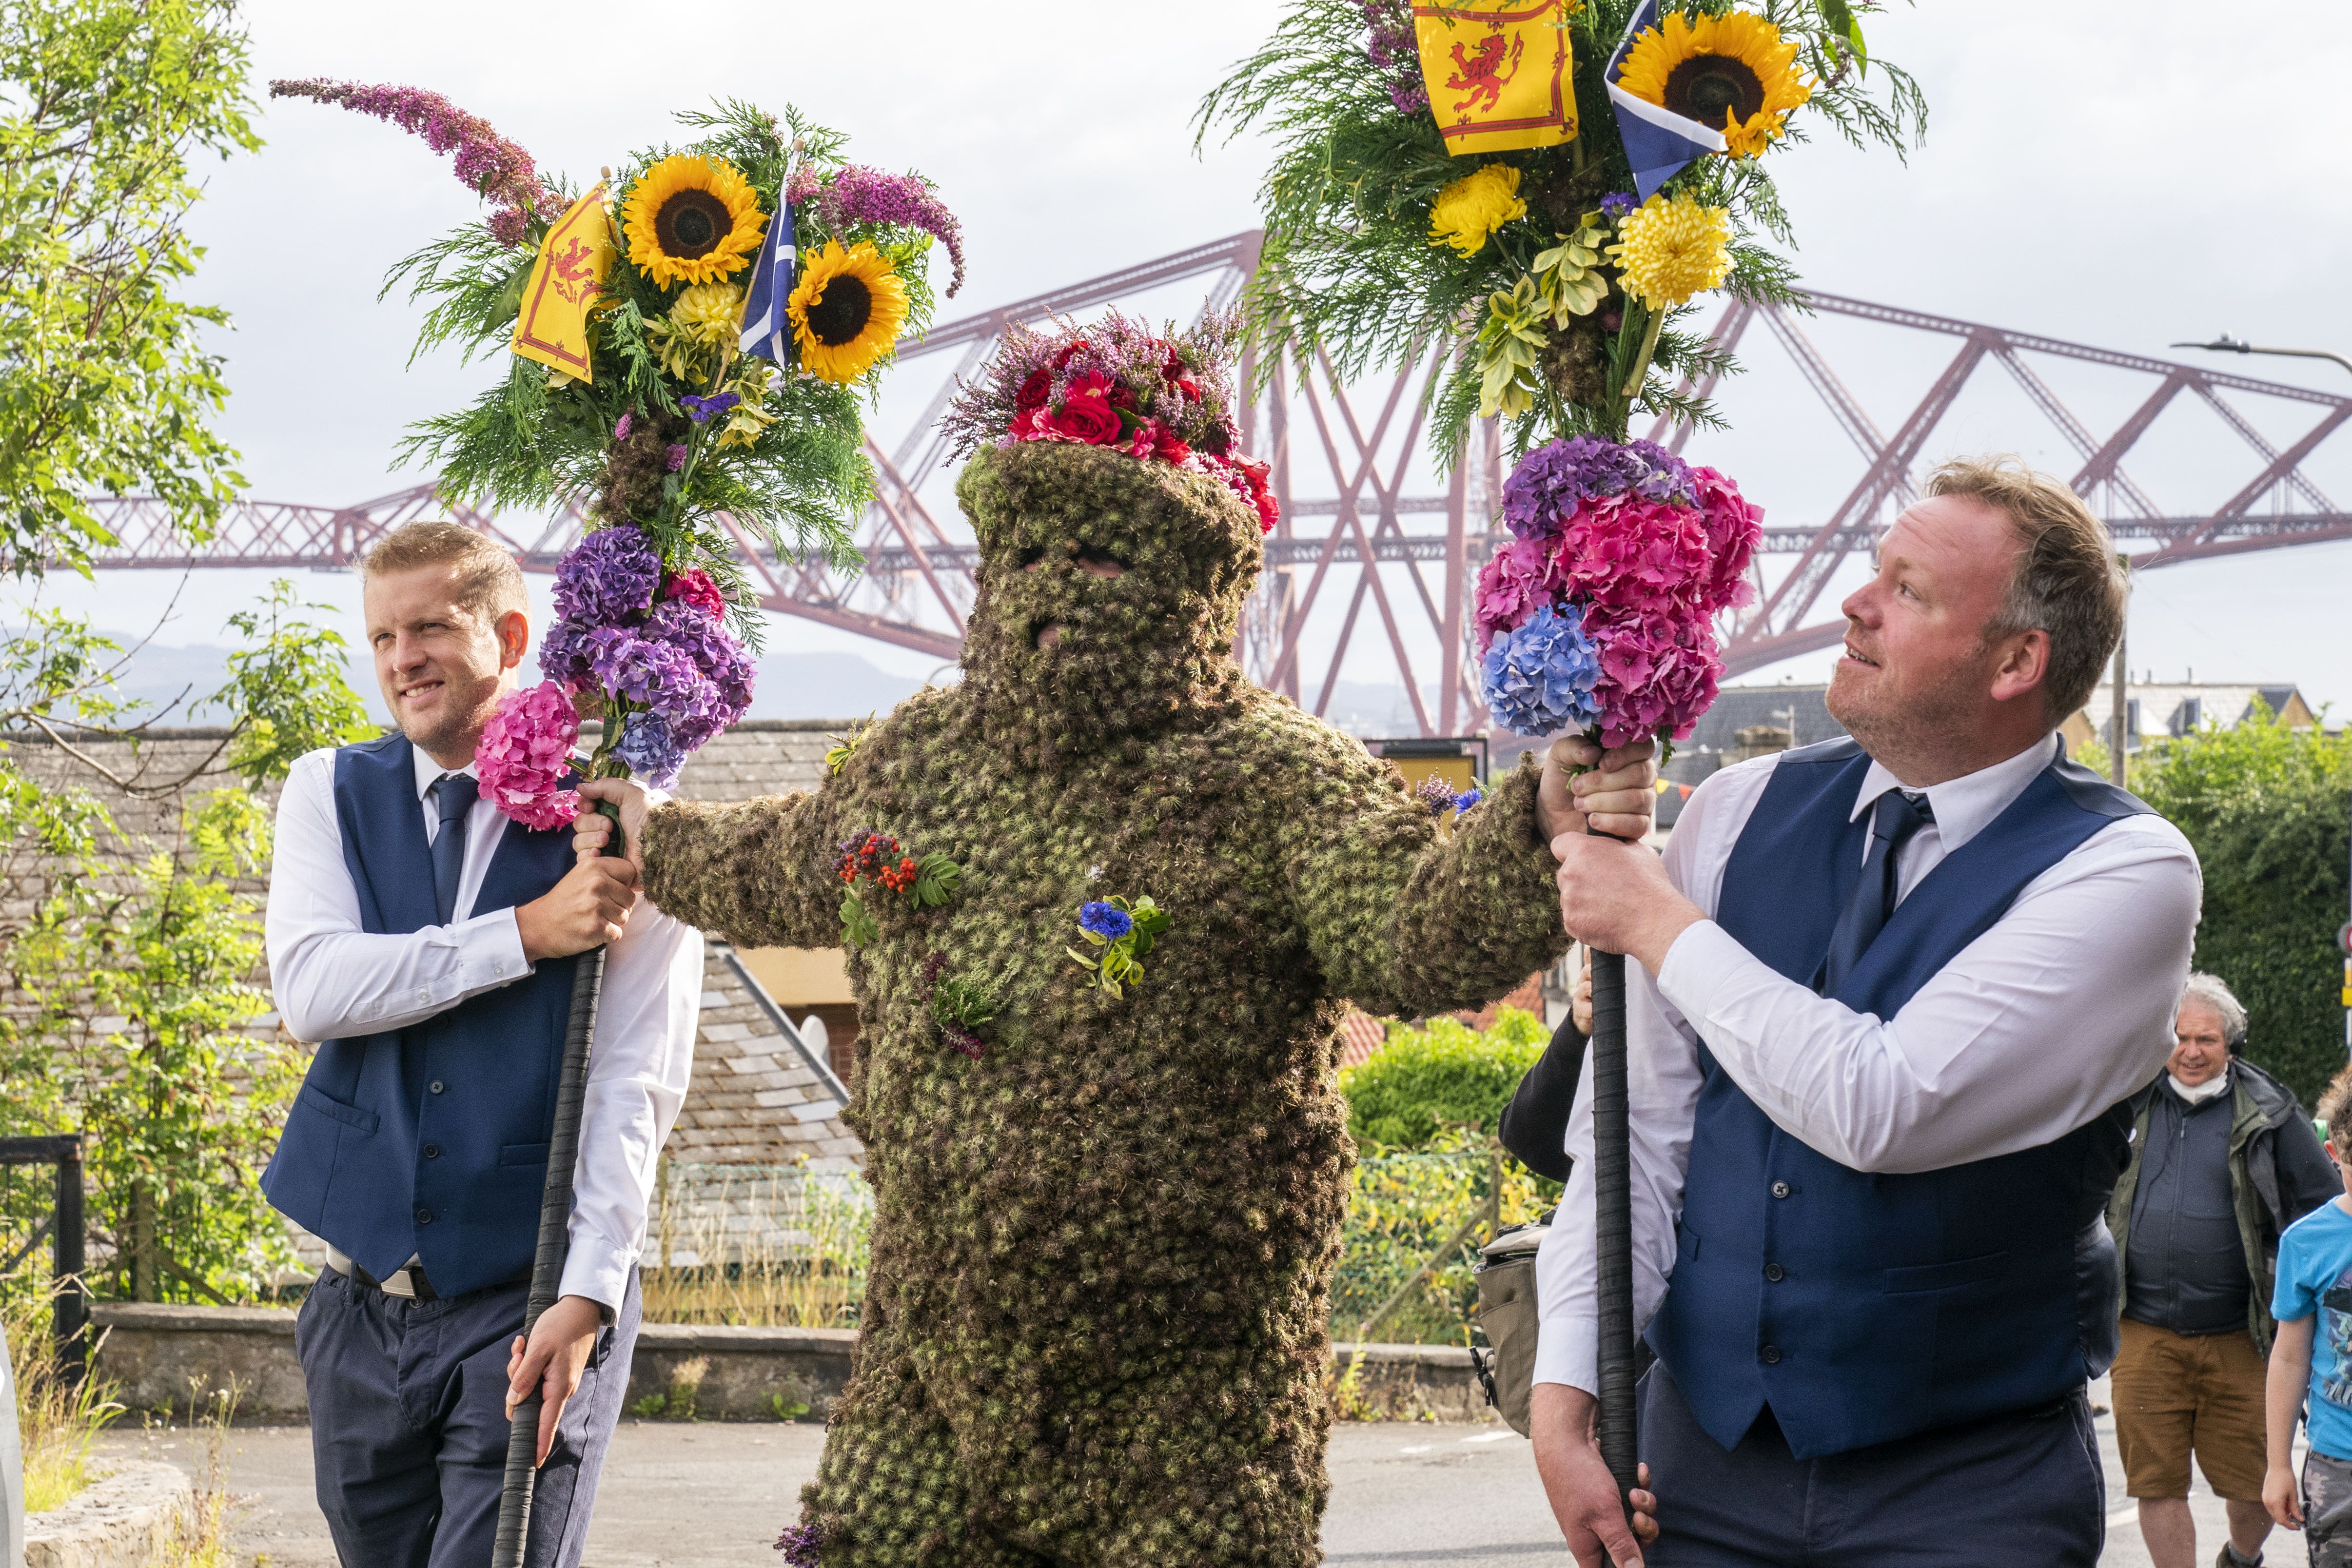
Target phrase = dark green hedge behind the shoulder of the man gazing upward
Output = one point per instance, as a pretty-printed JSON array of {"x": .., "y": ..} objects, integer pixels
[{"x": 2266, "y": 808}]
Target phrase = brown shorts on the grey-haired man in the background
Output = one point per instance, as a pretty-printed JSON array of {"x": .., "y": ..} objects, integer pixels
[{"x": 2179, "y": 1393}]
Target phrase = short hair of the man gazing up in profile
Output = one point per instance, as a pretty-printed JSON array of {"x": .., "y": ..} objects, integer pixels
[{"x": 2069, "y": 582}]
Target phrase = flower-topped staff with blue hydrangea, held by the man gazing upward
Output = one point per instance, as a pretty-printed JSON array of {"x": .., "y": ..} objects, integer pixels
[{"x": 1617, "y": 177}]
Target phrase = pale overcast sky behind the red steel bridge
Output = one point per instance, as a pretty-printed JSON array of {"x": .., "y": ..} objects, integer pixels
[{"x": 2116, "y": 177}]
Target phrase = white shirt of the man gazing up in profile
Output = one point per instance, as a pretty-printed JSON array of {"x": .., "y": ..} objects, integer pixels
[{"x": 2036, "y": 1028}]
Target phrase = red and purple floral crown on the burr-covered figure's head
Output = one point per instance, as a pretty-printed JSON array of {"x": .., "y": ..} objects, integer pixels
[{"x": 1156, "y": 396}]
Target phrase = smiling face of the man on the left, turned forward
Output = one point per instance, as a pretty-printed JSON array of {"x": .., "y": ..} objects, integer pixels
[{"x": 441, "y": 662}]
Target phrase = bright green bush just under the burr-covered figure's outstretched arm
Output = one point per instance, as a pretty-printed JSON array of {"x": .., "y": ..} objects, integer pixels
[{"x": 1436, "y": 1076}]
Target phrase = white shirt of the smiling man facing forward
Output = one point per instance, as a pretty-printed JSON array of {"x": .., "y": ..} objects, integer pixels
[{"x": 335, "y": 981}]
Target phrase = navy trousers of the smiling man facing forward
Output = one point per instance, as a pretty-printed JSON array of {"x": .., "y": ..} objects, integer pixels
[{"x": 408, "y": 1426}]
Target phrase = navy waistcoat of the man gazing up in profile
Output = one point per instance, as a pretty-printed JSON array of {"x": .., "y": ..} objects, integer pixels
[{"x": 1869, "y": 1308}]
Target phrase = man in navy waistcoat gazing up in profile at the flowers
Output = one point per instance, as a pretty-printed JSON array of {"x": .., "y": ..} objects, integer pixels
[{"x": 1892, "y": 998}]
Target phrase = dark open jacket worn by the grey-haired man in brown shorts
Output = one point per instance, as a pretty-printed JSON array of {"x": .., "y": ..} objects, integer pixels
[{"x": 2278, "y": 1174}]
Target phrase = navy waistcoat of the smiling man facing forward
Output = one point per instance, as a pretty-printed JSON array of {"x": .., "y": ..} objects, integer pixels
[{"x": 429, "y": 1141}]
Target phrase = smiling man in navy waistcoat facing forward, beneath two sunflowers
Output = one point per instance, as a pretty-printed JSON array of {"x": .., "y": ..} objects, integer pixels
[{"x": 427, "y": 944}]
